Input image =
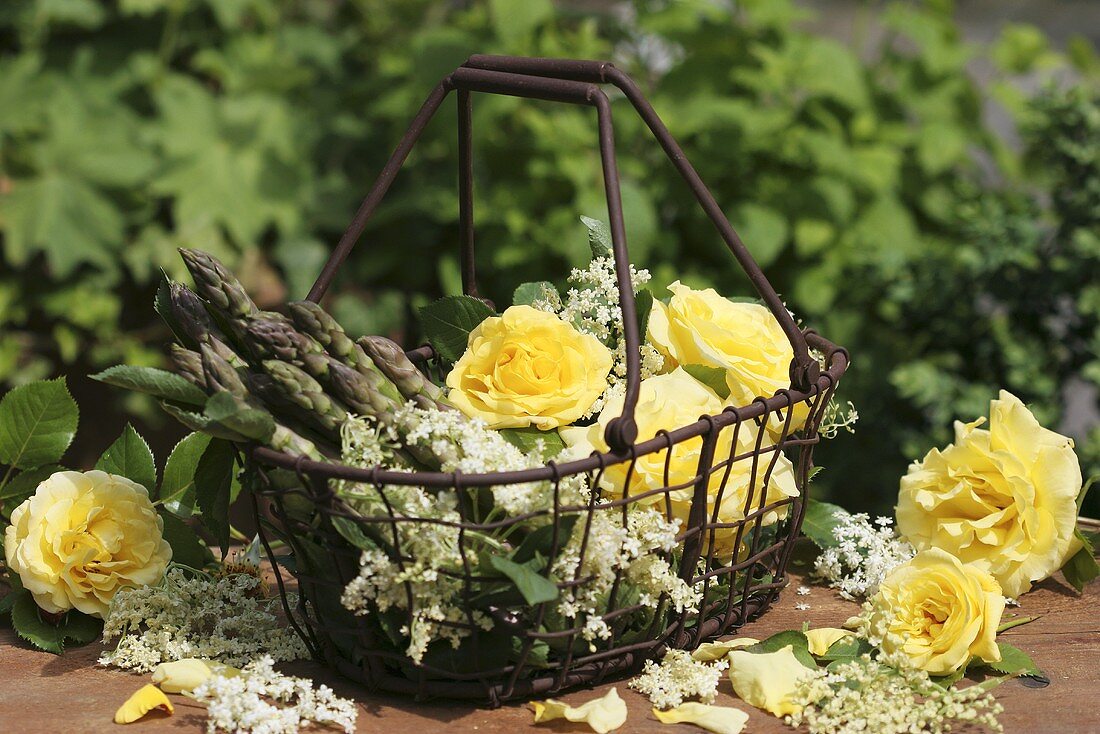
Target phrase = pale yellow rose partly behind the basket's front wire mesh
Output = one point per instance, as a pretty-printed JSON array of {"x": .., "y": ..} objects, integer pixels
[{"x": 668, "y": 402}]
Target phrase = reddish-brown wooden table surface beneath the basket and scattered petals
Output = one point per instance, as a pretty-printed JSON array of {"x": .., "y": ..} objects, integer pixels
[{"x": 43, "y": 694}]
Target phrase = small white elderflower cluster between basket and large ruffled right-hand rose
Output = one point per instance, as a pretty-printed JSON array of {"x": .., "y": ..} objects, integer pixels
[{"x": 864, "y": 556}]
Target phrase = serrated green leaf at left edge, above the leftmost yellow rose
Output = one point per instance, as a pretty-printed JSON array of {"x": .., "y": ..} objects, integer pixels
[{"x": 38, "y": 423}]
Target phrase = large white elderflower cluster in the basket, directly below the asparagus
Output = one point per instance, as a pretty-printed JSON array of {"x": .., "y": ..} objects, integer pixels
[{"x": 432, "y": 571}]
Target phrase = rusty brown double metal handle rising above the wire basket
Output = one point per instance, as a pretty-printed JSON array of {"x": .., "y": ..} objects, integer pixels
[{"x": 574, "y": 82}]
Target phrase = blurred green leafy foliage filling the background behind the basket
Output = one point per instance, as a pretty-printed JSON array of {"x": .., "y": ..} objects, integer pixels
[{"x": 863, "y": 177}]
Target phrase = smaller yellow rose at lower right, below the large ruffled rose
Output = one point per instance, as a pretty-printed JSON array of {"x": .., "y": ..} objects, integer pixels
[{"x": 938, "y": 614}]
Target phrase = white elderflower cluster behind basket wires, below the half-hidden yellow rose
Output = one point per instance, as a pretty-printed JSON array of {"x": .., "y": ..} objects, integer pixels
[{"x": 634, "y": 550}]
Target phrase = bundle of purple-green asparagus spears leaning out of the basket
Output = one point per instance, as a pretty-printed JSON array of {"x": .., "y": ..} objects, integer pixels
[{"x": 301, "y": 374}]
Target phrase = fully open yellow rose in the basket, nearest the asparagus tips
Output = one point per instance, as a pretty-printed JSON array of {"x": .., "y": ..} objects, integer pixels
[{"x": 529, "y": 368}]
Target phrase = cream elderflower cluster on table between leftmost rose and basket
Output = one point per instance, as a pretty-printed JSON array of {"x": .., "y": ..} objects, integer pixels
[{"x": 227, "y": 619}]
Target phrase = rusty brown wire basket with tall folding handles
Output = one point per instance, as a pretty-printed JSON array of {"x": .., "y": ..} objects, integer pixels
[{"x": 734, "y": 590}]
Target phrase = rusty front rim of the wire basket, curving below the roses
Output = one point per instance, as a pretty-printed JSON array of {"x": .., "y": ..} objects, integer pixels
[{"x": 839, "y": 363}]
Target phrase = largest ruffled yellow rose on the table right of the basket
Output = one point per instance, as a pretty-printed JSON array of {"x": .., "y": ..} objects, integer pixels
[{"x": 1004, "y": 499}]
